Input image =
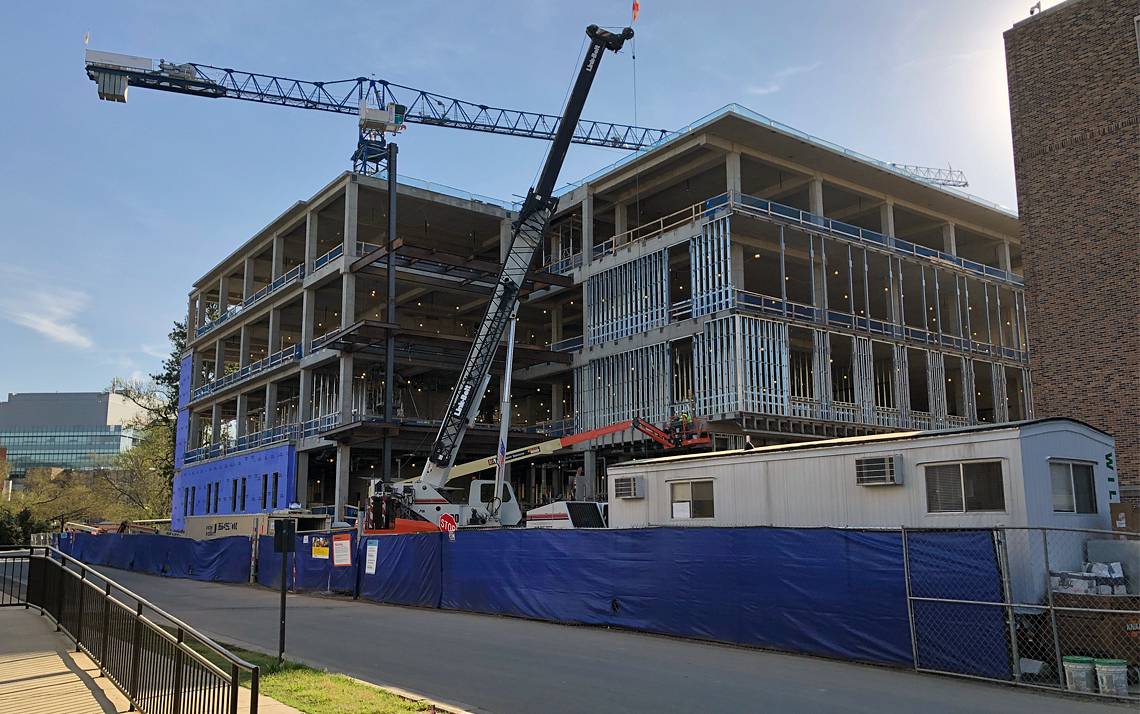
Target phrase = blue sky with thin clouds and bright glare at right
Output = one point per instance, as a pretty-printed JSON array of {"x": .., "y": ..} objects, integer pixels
[{"x": 112, "y": 212}]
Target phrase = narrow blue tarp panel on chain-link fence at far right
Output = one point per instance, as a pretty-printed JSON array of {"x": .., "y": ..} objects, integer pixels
[{"x": 962, "y": 638}]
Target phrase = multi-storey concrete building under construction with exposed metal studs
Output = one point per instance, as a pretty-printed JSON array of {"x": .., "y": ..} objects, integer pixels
[{"x": 759, "y": 281}]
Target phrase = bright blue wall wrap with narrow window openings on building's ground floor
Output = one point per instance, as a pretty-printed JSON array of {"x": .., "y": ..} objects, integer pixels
[{"x": 256, "y": 468}]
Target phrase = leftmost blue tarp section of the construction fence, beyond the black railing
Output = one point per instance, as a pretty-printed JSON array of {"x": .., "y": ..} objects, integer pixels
[{"x": 224, "y": 561}]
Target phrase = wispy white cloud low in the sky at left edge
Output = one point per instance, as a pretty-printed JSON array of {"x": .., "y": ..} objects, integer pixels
[{"x": 40, "y": 305}]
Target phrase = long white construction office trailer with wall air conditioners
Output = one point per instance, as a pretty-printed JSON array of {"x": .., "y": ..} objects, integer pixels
[{"x": 1045, "y": 473}]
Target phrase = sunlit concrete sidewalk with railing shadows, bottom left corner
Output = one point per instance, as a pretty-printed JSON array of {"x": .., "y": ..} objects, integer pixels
[{"x": 42, "y": 674}]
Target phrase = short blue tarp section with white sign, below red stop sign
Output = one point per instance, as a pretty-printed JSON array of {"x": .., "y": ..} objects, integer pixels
[{"x": 409, "y": 570}]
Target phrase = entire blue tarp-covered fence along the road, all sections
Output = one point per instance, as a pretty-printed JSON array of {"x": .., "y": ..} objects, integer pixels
[{"x": 832, "y": 593}]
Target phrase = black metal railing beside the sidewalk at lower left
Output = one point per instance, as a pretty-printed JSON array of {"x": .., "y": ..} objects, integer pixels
[{"x": 160, "y": 663}]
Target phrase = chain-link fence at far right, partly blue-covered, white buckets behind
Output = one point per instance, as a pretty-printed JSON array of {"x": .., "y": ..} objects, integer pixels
[{"x": 1041, "y": 607}]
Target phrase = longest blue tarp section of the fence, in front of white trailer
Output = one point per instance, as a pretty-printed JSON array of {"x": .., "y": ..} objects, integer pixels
[{"x": 837, "y": 594}]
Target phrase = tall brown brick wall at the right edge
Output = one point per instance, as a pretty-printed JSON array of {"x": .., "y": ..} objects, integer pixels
[{"x": 1074, "y": 96}]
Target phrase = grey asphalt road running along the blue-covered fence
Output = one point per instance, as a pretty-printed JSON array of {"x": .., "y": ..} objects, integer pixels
[{"x": 507, "y": 666}]
